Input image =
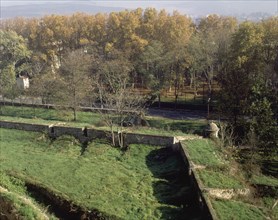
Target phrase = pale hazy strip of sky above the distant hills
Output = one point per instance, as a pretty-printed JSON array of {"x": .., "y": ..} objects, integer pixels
[{"x": 197, "y": 7}]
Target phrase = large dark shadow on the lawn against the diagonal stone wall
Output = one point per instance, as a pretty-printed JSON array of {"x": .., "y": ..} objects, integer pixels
[{"x": 173, "y": 187}]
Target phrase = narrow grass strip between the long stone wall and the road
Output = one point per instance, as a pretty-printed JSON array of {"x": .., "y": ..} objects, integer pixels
[{"x": 158, "y": 125}]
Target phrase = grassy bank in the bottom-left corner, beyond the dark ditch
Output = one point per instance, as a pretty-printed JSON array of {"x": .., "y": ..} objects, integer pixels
[{"x": 15, "y": 203}]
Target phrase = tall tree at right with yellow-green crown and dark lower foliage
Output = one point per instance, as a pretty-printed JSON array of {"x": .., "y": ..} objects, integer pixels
[{"x": 242, "y": 72}]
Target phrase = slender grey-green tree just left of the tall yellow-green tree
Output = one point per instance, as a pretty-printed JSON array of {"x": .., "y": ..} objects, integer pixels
[{"x": 214, "y": 34}]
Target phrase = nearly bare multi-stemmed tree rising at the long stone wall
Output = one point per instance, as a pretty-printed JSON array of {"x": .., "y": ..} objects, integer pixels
[{"x": 114, "y": 91}]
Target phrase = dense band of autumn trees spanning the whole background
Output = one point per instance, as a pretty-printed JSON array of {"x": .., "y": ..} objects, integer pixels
[{"x": 155, "y": 50}]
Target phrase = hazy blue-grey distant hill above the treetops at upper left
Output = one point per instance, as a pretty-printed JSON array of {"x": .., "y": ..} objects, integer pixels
[{"x": 39, "y": 10}]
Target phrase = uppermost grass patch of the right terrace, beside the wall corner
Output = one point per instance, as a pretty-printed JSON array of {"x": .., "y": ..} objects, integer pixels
[{"x": 204, "y": 152}]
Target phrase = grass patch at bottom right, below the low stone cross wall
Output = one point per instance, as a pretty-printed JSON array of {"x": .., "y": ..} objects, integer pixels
[{"x": 237, "y": 210}]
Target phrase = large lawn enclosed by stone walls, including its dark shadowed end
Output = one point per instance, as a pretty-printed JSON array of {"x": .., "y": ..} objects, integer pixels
[{"x": 144, "y": 182}]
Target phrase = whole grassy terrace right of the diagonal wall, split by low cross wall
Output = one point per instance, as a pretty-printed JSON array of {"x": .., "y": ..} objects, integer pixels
[{"x": 220, "y": 171}]
